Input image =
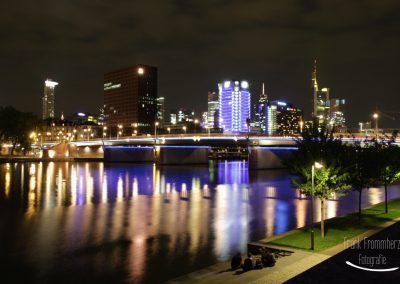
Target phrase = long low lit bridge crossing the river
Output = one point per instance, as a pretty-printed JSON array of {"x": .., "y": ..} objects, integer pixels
[{"x": 262, "y": 152}]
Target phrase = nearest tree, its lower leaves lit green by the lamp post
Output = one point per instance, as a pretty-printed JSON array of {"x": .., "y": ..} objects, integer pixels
[{"x": 317, "y": 144}]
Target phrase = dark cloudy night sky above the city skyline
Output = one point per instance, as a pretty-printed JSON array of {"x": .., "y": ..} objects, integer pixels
[{"x": 195, "y": 44}]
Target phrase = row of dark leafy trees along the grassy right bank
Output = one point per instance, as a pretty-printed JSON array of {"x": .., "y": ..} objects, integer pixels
[{"x": 342, "y": 166}]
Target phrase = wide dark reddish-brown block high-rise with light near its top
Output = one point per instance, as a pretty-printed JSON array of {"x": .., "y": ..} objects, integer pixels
[{"x": 130, "y": 97}]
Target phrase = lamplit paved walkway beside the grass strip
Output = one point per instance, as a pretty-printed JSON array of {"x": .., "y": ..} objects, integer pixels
[{"x": 285, "y": 268}]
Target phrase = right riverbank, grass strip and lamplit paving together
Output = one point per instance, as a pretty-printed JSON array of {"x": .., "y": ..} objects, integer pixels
[{"x": 344, "y": 228}]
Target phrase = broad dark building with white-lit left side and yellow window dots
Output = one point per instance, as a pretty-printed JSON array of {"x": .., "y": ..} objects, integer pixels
[{"x": 282, "y": 119}]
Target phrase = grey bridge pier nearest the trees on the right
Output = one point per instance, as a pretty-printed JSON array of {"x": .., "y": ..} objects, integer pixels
[{"x": 268, "y": 157}]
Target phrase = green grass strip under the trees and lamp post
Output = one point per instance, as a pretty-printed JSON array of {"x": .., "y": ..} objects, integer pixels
[{"x": 339, "y": 228}]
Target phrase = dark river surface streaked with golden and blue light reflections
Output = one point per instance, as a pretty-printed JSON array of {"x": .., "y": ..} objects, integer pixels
[{"x": 144, "y": 223}]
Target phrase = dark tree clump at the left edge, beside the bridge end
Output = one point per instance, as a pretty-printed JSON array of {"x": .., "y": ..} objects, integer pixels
[{"x": 16, "y": 128}]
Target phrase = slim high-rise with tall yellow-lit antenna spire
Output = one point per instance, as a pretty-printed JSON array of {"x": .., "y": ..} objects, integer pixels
[{"x": 320, "y": 99}]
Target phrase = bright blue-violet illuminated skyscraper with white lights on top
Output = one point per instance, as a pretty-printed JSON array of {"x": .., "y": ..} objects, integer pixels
[{"x": 234, "y": 105}]
